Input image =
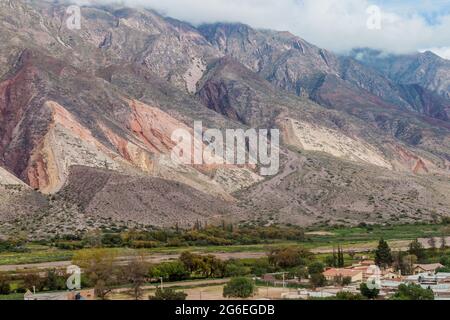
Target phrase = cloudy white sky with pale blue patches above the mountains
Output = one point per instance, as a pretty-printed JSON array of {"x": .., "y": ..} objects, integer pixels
[{"x": 338, "y": 25}]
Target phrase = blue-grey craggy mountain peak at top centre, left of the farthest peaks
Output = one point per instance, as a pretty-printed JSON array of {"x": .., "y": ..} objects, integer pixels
[{"x": 284, "y": 59}]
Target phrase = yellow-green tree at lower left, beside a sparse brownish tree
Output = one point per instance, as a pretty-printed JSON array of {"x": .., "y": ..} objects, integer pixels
[{"x": 98, "y": 265}]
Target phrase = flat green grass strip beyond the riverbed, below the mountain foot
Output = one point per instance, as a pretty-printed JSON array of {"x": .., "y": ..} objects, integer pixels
[{"x": 352, "y": 237}]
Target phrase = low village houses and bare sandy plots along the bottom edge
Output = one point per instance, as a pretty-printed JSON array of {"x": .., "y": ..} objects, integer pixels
[{"x": 278, "y": 286}]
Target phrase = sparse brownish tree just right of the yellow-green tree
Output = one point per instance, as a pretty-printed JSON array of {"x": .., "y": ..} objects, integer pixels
[{"x": 135, "y": 273}]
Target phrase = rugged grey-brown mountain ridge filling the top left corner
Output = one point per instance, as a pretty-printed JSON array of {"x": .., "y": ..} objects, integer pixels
[{"x": 113, "y": 34}]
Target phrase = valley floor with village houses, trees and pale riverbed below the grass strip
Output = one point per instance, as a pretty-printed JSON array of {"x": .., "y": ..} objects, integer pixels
[{"x": 384, "y": 270}]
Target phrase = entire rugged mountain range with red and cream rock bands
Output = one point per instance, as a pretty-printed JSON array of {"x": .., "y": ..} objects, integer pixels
[{"x": 86, "y": 118}]
